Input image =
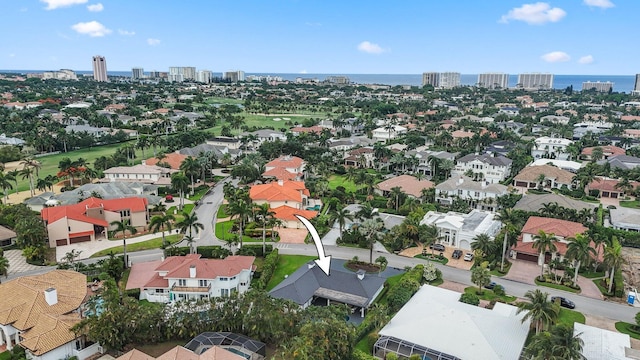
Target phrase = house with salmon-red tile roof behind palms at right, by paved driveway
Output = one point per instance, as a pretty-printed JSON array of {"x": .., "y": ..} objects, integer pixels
[{"x": 561, "y": 229}]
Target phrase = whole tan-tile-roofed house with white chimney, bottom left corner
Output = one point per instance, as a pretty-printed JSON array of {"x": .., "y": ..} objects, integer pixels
[{"x": 37, "y": 312}]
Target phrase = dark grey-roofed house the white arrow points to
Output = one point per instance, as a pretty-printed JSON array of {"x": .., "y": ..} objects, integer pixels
[{"x": 310, "y": 285}]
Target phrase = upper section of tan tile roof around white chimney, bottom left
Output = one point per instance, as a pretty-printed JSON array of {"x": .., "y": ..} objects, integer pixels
[{"x": 23, "y": 298}]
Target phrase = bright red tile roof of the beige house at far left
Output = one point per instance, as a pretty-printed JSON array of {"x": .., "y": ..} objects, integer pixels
[{"x": 78, "y": 211}]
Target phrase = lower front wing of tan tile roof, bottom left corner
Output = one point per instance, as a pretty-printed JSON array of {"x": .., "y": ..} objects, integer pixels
[{"x": 50, "y": 332}]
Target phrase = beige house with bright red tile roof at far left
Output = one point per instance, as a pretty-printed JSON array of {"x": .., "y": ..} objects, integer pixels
[{"x": 87, "y": 220}]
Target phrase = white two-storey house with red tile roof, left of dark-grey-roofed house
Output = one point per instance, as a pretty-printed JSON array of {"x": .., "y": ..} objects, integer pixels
[{"x": 191, "y": 278}]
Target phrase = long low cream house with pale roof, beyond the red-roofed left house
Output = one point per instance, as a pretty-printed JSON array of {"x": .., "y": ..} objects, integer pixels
[{"x": 148, "y": 174}]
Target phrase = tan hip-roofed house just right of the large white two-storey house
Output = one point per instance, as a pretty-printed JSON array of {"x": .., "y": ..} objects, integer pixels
[{"x": 554, "y": 178}]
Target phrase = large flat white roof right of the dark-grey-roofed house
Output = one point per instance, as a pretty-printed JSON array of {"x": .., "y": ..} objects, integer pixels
[{"x": 434, "y": 318}]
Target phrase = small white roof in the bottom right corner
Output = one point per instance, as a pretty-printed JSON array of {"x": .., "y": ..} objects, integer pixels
[{"x": 602, "y": 344}]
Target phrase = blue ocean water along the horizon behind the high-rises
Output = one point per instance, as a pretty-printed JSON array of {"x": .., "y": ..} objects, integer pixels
[{"x": 621, "y": 83}]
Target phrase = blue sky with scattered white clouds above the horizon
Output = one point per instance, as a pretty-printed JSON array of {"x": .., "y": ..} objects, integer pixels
[{"x": 346, "y": 36}]
